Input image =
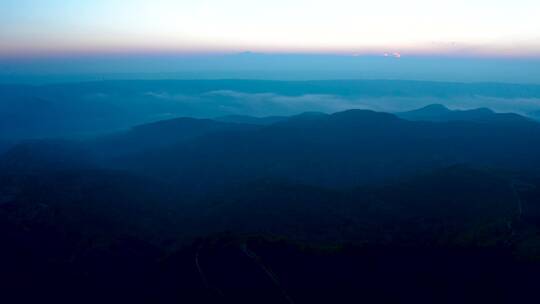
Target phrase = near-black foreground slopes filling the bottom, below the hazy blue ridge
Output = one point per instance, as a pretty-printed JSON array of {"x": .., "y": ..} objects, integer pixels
[{"x": 106, "y": 234}]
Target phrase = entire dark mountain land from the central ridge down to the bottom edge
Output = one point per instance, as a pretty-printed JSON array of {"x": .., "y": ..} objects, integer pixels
[{"x": 357, "y": 206}]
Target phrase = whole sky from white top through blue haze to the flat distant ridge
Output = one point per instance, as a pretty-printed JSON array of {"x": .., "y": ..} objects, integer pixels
[{"x": 446, "y": 40}]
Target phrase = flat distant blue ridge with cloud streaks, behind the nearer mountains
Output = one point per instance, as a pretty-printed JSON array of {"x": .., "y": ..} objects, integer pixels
[{"x": 62, "y": 110}]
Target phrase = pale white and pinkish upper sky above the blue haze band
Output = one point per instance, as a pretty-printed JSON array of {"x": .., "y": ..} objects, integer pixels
[{"x": 456, "y": 27}]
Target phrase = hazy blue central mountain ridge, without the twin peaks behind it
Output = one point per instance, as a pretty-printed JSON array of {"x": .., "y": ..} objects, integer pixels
[{"x": 343, "y": 149}]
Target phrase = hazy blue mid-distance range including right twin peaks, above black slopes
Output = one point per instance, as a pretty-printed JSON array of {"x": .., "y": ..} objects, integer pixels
[{"x": 342, "y": 149}]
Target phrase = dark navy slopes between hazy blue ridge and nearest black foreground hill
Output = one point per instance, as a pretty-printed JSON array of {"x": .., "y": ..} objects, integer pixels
[{"x": 453, "y": 206}]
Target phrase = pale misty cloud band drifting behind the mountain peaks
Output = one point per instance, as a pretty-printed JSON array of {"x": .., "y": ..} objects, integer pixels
[{"x": 228, "y": 102}]
